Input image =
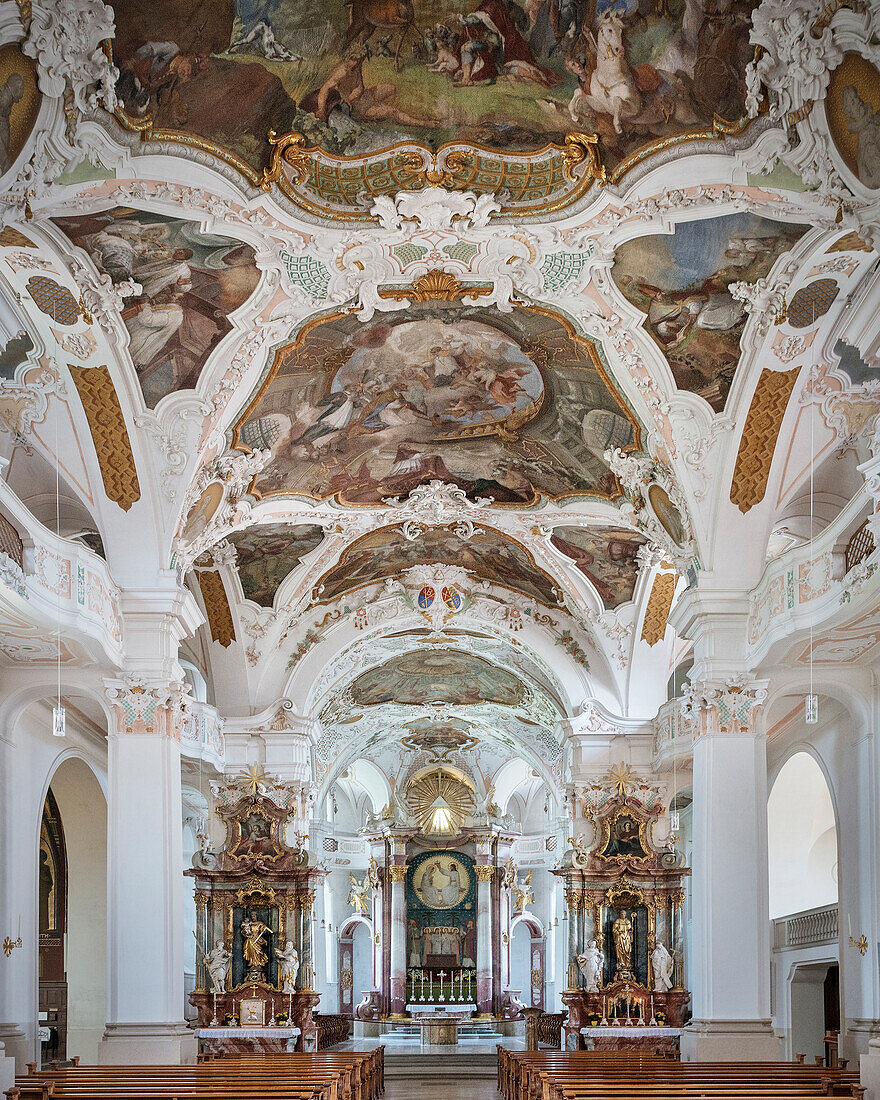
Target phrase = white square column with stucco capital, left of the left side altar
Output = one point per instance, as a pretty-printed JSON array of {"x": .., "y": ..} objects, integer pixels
[{"x": 146, "y": 1003}]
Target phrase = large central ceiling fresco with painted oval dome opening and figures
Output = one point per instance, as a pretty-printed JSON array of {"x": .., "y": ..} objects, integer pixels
[{"x": 505, "y": 406}]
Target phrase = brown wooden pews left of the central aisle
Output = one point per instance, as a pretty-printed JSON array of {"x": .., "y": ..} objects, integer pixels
[{"x": 327, "y": 1075}]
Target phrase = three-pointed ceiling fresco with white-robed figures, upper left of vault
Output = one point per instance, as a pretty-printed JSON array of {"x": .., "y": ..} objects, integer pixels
[{"x": 191, "y": 282}]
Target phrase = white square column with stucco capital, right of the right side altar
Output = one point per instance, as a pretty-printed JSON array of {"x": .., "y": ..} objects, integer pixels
[{"x": 731, "y": 949}]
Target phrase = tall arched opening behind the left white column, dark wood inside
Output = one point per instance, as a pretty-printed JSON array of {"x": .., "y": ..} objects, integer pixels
[{"x": 73, "y": 897}]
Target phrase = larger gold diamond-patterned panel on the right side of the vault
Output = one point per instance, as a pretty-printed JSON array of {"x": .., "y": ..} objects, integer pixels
[{"x": 760, "y": 437}]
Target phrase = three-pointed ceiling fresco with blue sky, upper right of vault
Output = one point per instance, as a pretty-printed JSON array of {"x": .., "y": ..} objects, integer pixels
[{"x": 681, "y": 281}]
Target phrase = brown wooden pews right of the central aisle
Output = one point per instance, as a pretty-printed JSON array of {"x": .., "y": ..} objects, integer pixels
[{"x": 621, "y": 1075}]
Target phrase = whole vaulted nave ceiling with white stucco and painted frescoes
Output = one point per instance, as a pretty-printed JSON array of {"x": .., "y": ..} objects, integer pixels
[{"x": 486, "y": 409}]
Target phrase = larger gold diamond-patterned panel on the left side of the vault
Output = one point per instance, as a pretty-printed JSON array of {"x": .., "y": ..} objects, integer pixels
[{"x": 109, "y": 434}]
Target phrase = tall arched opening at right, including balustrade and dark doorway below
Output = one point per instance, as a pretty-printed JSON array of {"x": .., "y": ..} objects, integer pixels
[{"x": 802, "y": 850}]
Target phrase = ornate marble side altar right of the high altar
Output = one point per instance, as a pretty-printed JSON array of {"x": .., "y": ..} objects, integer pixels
[{"x": 624, "y": 898}]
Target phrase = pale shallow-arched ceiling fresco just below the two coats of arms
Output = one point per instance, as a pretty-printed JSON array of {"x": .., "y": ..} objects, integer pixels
[{"x": 447, "y": 676}]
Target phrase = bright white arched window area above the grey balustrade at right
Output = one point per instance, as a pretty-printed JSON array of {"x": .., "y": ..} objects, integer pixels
[{"x": 802, "y": 839}]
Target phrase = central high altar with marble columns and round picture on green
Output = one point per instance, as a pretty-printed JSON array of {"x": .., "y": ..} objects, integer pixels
[{"x": 441, "y": 908}]
